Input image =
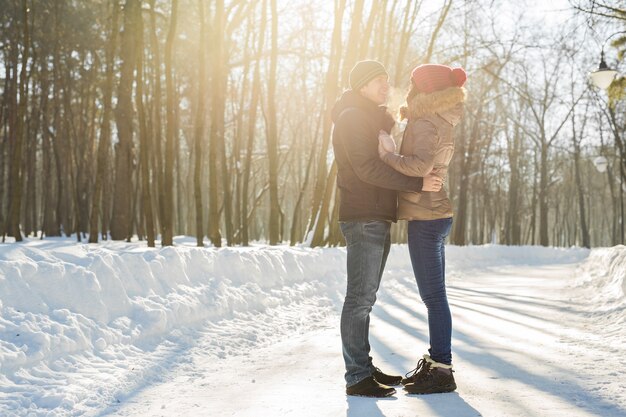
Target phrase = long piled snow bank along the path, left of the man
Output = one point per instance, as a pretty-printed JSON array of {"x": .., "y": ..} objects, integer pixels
[{"x": 60, "y": 298}]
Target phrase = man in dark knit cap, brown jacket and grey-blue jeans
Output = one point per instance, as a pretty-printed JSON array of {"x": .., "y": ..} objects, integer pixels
[{"x": 368, "y": 202}]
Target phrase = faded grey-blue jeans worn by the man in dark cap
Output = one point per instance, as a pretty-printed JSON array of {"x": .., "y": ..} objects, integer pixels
[{"x": 368, "y": 246}]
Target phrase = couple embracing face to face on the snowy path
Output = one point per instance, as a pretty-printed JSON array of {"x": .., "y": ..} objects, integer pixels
[{"x": 379, "y": 184}]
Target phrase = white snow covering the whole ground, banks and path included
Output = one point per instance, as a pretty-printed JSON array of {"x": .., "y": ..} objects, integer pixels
[{"x": 119, "y": 329}]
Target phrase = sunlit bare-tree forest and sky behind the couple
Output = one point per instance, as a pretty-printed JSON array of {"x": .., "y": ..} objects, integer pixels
[{"x": 150, "y": 119}]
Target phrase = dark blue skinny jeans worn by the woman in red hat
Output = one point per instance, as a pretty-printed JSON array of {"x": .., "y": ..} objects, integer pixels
[{"x": 426, "y": 246}]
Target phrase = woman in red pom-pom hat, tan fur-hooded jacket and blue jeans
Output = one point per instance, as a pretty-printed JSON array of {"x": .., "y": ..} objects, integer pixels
[{"x": 434, "y": 108}]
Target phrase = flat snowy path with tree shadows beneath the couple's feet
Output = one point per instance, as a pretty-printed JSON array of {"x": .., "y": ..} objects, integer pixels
[{"x": 523, "y": 345}]
